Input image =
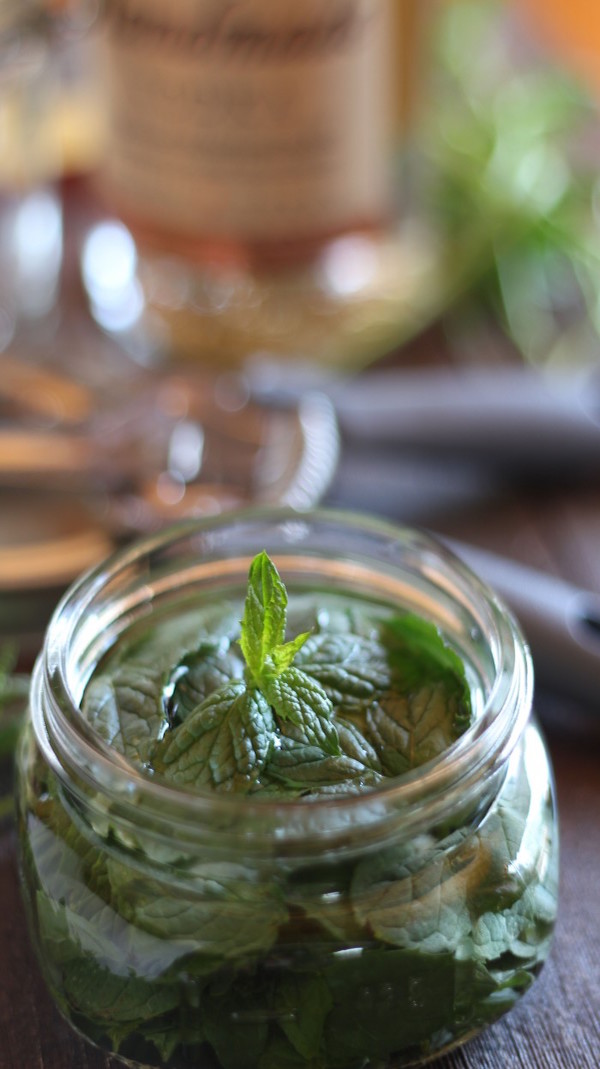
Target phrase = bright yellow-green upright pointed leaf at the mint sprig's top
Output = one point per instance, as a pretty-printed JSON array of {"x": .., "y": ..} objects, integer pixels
[{"x": 264, "y": 625}]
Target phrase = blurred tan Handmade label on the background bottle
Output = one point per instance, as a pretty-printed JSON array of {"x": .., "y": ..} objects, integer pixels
[{"x": 253, "y": 120}]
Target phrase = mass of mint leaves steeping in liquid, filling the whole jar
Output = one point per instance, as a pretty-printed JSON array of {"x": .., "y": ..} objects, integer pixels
[{"x": 309, "y": 853}]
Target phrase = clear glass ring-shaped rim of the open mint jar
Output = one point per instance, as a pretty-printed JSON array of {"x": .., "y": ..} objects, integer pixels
[{"x": 75, "y": 750}]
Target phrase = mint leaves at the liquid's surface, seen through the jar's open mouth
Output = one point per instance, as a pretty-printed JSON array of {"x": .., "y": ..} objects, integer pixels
[{"x": 324, "y": 710}]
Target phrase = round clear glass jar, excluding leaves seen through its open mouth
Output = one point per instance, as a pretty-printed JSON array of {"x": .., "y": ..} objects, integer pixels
[{"x": 186, "y": 928}]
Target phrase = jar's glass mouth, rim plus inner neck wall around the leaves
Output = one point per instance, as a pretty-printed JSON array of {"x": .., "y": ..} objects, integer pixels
[{"x": 316, "y": 544}]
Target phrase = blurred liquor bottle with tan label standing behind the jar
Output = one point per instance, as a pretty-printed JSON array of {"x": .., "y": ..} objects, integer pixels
[{"x": 257, "y": 153}]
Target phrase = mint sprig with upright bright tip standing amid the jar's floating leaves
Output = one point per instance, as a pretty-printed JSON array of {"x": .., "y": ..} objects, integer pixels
[{"x": 227, "y": 740}]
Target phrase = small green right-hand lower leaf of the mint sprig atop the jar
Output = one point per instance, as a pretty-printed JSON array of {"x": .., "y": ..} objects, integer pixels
[{"x": 302, "y": 701}]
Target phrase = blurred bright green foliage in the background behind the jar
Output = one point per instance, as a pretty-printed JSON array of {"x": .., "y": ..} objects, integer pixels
[{"x": 511, "y": 181}]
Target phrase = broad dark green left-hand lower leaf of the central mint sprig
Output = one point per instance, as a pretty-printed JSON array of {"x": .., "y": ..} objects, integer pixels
[{"x": 224, "y": 743}]
